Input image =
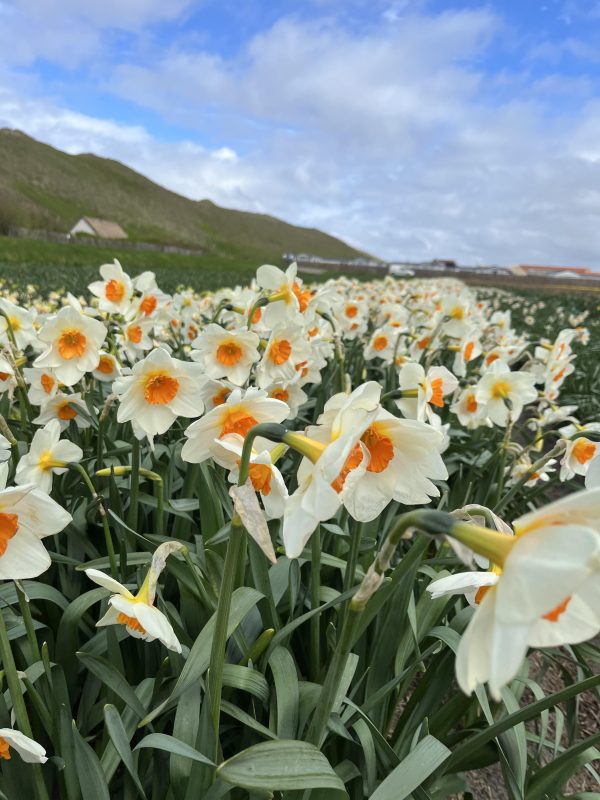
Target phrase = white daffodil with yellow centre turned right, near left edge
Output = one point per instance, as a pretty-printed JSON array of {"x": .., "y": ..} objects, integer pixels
[{"x": 47, "y": 455}]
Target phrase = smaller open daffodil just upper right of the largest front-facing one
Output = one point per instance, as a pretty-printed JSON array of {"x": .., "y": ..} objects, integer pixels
[{"x": 226, "y": 354}]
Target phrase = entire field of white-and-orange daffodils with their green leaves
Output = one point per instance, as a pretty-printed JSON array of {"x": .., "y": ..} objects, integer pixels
[{"x": 298, "y": 541}]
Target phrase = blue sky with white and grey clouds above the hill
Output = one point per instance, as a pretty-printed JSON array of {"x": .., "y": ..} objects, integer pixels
[{"x": 410, "y": 128}]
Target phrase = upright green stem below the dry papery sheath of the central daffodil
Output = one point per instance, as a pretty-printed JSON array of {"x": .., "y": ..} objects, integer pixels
[{"x": 235, "y": 549}]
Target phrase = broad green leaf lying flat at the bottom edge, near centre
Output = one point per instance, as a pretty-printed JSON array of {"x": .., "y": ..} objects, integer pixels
[{"x": 280, "y": 765}]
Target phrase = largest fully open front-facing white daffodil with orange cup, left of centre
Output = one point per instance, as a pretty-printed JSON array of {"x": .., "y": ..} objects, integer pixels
[{"x": 159, "y": 389}]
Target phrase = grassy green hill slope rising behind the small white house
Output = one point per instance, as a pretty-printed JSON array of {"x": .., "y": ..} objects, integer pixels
[{"x": 41, "y": 187}]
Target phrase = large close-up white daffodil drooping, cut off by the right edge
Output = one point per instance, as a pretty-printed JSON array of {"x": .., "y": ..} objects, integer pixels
[{"x": 545, "y": 589}]
